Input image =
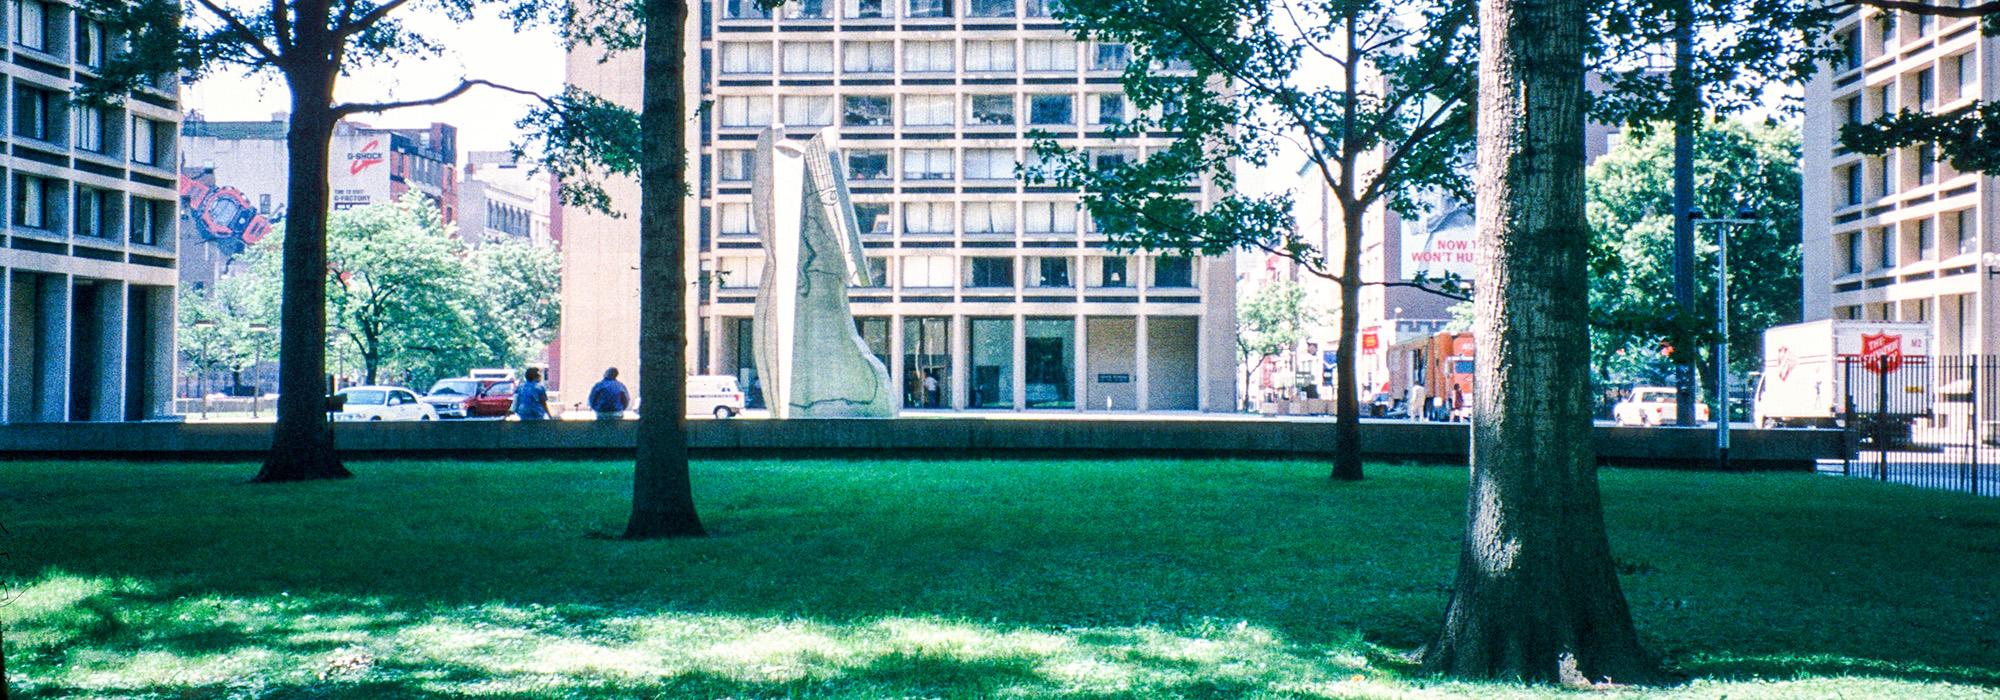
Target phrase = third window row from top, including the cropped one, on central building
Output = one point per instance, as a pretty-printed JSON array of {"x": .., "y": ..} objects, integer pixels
[{"x": 923, "y": 111}]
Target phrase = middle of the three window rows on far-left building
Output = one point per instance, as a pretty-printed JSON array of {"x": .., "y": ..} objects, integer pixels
[{"x": 49, "y": 117}]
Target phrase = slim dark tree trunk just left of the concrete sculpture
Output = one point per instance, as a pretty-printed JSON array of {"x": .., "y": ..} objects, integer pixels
[{"x": 663, "y": 497}]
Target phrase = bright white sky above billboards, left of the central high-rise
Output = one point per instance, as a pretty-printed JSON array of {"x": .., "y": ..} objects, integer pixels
[{"x": 483, "y": 49}]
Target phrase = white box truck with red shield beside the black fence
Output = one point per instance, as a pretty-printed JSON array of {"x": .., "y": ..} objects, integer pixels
[{"x": 1827, "y": 373}]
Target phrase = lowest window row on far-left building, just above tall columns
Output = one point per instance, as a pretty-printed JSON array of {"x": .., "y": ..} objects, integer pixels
[{"x": 49, "y": 205}]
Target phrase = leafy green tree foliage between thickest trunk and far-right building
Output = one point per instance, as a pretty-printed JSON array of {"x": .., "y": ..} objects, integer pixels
[{"x": 1739, "y": 167}]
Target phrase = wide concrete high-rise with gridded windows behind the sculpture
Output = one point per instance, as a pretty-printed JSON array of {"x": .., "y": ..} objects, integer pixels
[{"x": 989, "y": 293}]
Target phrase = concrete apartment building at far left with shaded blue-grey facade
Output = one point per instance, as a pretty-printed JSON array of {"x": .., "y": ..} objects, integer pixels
[{"x": 87, "y": 261}]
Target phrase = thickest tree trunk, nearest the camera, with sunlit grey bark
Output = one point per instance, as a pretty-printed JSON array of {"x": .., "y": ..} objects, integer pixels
[{"x": 1537, "y": 595}]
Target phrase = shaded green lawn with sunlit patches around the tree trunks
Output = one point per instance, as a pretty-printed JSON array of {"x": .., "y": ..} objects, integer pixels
[{"x": 963, "y": 579}]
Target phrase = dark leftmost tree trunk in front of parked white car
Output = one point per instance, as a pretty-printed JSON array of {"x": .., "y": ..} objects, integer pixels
[{"x": 303, "y": 441}]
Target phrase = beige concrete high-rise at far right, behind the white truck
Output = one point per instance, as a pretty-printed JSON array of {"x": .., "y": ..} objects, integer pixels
[{"x": 1901, "y": 237}]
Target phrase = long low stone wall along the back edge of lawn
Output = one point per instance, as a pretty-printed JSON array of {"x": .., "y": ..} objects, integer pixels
[{"x": 959, "y": 437}]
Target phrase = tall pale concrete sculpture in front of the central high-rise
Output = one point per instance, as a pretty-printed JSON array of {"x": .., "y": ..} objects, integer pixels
[{"x": 811, "y": 361}]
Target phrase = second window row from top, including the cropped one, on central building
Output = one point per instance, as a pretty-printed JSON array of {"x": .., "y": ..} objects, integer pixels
[{"x": 809, "y": 59}]
